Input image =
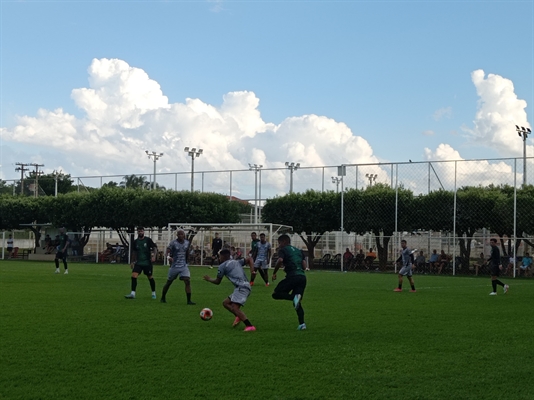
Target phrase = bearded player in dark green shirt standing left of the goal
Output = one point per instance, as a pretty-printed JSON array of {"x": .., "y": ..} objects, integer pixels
[{"x": 143, "y": 255}]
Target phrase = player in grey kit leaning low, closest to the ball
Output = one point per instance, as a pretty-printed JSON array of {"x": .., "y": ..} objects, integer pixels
[{"x": 233, "y": 270}]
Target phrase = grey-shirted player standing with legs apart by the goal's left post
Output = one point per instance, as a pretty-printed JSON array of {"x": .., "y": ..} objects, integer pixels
[{"x": 177, "y": 256}]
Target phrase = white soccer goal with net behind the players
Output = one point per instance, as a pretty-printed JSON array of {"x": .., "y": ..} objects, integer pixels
[{"x": 201, "y": 235}]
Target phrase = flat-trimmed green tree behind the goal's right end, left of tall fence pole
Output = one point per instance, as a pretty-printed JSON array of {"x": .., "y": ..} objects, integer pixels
[{"x": 311, "y": 214}]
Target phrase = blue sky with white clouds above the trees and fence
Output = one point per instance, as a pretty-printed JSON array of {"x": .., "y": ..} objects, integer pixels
[{"x": 396, "y": 74}]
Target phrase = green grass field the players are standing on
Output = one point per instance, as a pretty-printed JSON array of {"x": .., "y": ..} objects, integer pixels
[{"x": 75, "y": 337}]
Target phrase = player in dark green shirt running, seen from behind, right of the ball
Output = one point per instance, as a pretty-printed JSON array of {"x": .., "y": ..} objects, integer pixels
[{"x": 293, "y": 286}]
